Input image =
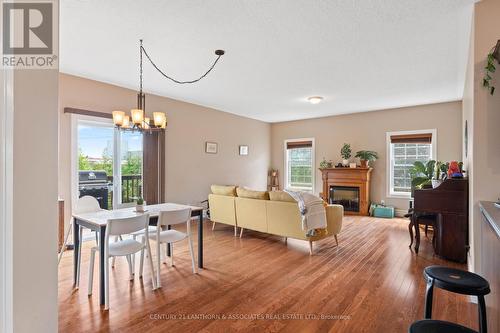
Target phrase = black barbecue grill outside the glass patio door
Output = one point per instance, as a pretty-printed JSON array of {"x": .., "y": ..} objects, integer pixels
[{"x": 95, "y": 184}]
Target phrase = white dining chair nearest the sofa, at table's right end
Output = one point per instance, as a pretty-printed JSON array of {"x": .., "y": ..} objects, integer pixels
[{"x": 171, "y": 236}]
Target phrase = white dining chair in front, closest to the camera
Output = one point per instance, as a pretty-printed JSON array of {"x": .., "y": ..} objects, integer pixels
[{"x": 122, "y": 248}]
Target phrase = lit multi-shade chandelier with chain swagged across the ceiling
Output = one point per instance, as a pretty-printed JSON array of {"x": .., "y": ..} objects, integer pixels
[{"x": 138, "y": 121}]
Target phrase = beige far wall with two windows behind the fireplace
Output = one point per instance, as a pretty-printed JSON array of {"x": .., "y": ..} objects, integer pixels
[{"x": 367, "y": 131}]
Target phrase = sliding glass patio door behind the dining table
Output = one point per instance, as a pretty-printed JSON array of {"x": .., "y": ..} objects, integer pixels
[{"x": 109, "y": 165}]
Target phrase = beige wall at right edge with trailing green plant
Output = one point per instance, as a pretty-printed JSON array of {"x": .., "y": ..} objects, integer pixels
[{"x": 486, "y": 118}]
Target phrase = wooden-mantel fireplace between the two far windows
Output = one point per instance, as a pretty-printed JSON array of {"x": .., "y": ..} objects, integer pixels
[{"x": 349, "y": 187}]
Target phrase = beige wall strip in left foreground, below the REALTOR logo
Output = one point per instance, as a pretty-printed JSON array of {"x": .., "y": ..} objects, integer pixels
[{"x": 34, "y": 201}]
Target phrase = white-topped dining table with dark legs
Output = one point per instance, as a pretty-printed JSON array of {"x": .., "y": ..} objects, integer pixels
[{"x": 97, "y": 221}]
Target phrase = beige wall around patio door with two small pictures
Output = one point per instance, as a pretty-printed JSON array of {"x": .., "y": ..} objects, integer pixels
[{"x": 189, "y": 170}]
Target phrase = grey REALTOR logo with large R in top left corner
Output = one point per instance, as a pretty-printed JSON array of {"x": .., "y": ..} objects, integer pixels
[{"x": 28, "y": 34}]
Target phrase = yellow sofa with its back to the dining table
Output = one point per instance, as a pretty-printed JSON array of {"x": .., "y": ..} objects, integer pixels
[{"x": 280, "y": 216}]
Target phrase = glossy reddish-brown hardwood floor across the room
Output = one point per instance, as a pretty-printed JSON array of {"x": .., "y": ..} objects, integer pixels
[{"x": 371, "y": 282}]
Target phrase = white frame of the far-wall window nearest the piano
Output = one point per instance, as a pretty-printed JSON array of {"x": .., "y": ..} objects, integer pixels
[{"x": 390, "y": 164}]
